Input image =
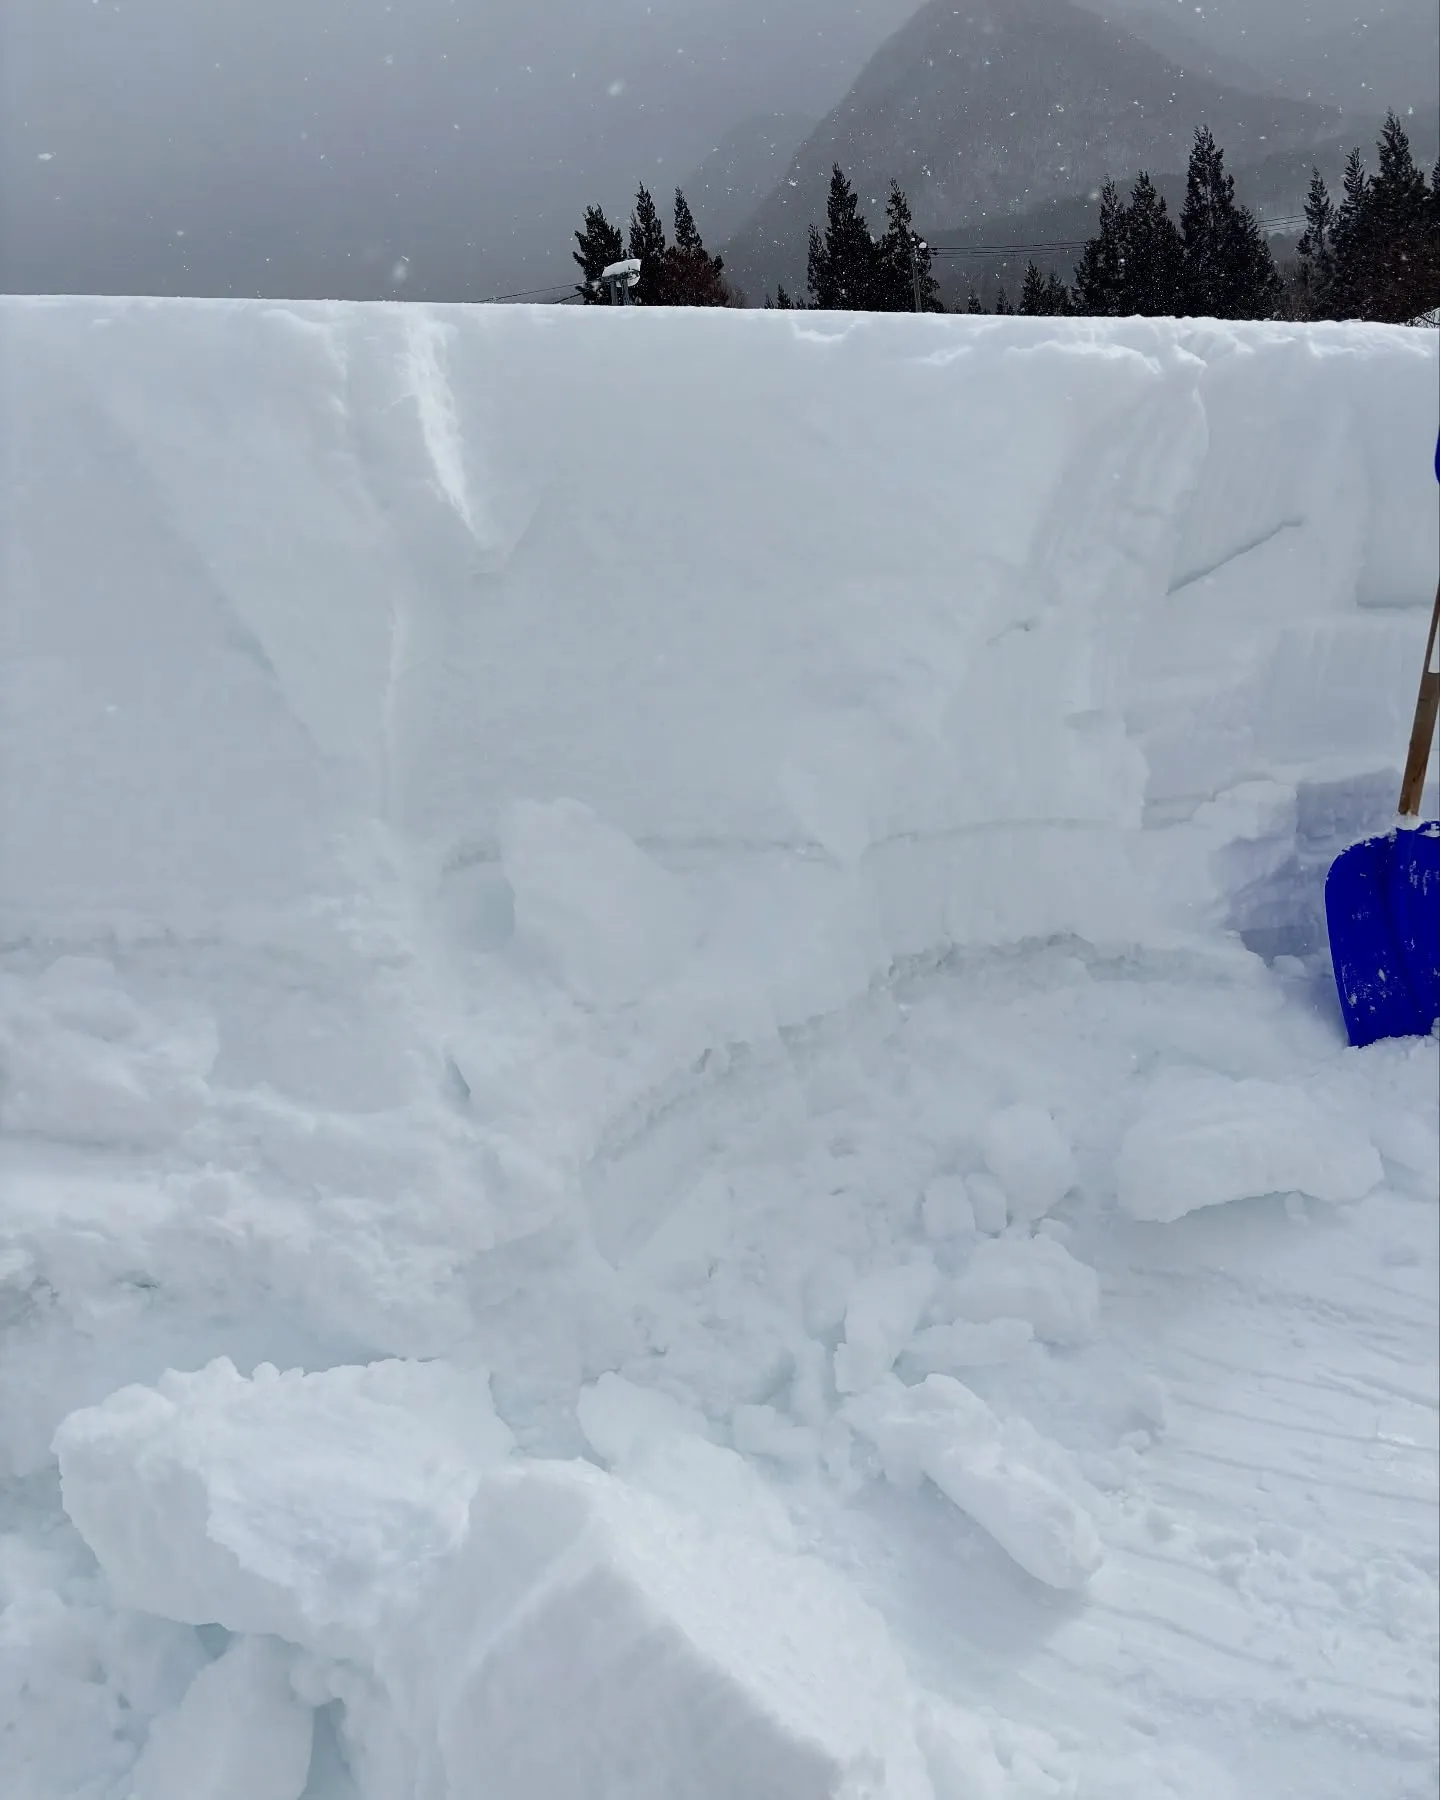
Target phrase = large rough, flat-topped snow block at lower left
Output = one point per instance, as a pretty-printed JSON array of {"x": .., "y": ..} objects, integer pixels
[{"x": 298, "y": 1506}]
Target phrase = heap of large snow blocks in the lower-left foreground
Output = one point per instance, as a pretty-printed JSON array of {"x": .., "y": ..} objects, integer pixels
[{"x": 462, "y": 1608}]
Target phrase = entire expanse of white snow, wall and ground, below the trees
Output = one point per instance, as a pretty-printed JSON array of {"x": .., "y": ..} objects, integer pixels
[{"x": 672, "y": 1113}]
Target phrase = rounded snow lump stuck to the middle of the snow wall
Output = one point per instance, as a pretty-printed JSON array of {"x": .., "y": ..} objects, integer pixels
[{"x": 591, "y": 903}]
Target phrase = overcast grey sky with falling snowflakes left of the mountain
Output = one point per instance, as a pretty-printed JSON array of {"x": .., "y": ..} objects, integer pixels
[{"x": 265, "y": 145}]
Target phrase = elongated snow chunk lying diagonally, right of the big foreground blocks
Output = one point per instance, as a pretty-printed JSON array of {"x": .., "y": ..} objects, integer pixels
[{"x": 946, "y": 1432}]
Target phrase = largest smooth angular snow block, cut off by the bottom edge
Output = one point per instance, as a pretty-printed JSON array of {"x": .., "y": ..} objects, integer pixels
[{"x": 593, "y": 1641}]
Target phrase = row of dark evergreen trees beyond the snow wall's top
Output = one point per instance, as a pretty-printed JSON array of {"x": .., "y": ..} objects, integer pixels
[{"x": 1376, "y": 255}]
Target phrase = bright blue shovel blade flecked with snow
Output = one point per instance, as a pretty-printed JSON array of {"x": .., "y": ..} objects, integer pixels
[{"x": 1383, "y": 910}]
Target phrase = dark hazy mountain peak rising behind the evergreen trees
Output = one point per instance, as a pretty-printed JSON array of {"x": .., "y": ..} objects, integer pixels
[{"x": 987, "y": 107}]
